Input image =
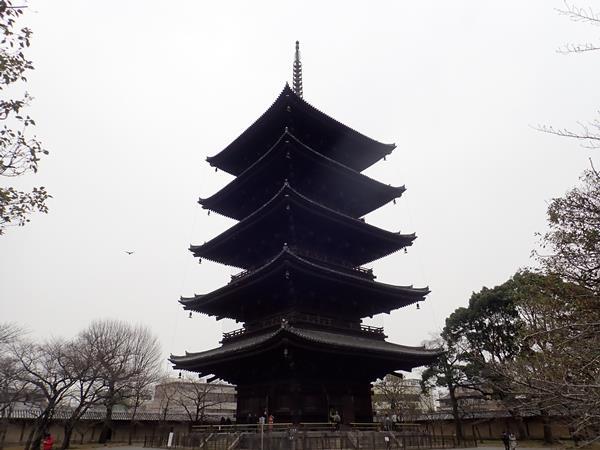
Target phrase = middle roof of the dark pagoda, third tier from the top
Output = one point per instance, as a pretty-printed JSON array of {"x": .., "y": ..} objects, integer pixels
[{"x": 258, "y": 231}]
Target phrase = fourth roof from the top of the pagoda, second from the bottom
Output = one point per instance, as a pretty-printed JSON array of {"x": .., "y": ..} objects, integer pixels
[{"x": 265, "y": 290}]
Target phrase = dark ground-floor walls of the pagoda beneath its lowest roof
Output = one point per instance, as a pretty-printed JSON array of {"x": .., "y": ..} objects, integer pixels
[{"x": 296, "y": 402}]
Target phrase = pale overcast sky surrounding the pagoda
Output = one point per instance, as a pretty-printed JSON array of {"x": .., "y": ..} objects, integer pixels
[{"x": 132, "y": 96}]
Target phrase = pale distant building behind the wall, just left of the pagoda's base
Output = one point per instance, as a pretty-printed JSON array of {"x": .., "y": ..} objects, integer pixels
[{"x": 200, "y": 401}]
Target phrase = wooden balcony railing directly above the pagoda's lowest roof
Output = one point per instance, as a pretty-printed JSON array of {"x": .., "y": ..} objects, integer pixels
[{"x": 307, "y": 319}]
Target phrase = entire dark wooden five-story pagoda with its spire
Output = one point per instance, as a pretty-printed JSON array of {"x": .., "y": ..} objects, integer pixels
[{"x": 299, "y": 197}]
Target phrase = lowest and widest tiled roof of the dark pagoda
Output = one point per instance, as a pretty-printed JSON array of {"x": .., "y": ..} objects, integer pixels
[{"x": 325, "y": 340}]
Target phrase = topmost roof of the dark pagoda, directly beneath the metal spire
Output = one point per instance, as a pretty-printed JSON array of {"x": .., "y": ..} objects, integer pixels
[{"x": 339, "y": 141}]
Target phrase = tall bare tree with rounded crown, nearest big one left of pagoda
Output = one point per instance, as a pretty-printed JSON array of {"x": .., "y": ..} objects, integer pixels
[{"x": 125, "y": 353}]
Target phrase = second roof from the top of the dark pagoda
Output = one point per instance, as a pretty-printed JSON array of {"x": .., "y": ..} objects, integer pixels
[{"x": 361, "y": 194}]
